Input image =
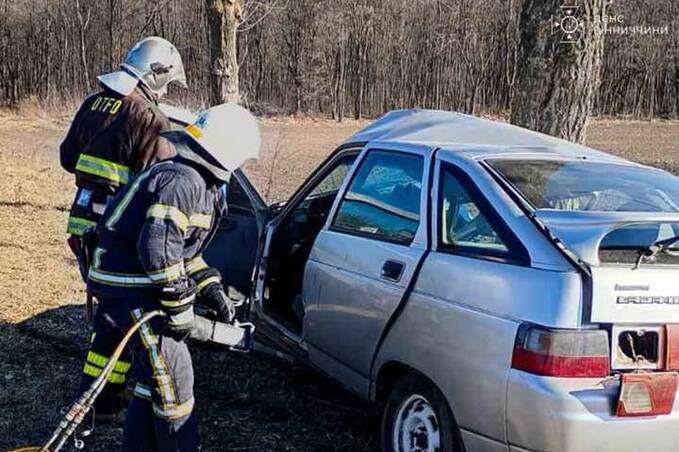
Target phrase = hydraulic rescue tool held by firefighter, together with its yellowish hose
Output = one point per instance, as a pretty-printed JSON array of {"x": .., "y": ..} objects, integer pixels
[{"x": 238, "y": 337}]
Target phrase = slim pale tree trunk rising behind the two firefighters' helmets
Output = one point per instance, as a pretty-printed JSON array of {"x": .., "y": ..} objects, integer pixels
[{"x": 223, "y": 18}]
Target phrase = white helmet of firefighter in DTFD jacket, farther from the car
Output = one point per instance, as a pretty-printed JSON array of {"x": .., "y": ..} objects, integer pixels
[{"x": 154, "y": 61}]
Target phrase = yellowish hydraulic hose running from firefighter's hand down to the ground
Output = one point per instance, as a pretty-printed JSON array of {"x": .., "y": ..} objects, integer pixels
[{"x": 76, "y": 413}]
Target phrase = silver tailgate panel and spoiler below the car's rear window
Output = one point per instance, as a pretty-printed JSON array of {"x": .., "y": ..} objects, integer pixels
[{"x": 609, "y": 244}]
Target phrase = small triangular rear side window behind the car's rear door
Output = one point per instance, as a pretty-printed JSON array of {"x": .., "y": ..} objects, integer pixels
[{"x": 467, "y": 222}]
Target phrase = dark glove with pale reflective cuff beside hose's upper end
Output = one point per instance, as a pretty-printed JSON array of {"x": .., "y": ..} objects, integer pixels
[{"x": 177, "y": 301}]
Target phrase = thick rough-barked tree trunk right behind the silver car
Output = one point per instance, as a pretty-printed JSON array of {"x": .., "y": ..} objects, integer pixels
[{"x": 557, "y": 76}]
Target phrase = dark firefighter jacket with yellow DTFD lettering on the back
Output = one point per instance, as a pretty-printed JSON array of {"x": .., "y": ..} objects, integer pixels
[{"x": 112, "y": 137}]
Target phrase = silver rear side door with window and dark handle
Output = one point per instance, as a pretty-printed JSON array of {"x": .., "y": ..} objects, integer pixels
[{"x": 363, "y": 261}]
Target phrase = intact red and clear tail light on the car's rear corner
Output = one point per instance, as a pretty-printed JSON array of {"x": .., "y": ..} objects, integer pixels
[{"x": 561, "y": 353}]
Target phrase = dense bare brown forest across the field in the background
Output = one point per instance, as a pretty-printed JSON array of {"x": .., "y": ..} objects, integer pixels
[{"x": 337, "y": 58}]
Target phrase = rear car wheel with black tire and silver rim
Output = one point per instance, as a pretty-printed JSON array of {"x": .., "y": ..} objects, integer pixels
[{"x": 416, "y": 417}]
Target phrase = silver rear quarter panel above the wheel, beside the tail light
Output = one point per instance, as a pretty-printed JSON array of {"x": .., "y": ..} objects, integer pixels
[{"x": 459, "y": 326}]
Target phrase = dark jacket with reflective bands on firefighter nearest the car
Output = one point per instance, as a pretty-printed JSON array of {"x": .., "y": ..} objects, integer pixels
[{"x": 154, "y": 230}]
